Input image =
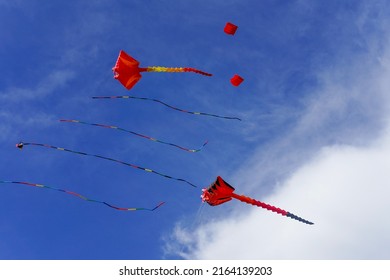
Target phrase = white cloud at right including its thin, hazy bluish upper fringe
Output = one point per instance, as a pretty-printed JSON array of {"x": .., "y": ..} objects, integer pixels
[{"x": 333, "y": 168}]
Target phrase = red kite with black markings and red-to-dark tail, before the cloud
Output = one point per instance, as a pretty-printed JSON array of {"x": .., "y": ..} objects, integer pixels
[{"x": 220, "y": 192}]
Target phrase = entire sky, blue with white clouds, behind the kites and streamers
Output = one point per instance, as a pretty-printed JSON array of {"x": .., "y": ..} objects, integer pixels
[{"x": 314, "y": 139}]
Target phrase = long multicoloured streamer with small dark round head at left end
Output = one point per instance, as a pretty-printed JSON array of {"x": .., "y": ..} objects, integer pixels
[{"x": 22, "y": 144}]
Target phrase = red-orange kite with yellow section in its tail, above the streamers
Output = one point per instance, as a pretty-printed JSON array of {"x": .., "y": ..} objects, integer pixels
[{"x": 128, "y": 72}]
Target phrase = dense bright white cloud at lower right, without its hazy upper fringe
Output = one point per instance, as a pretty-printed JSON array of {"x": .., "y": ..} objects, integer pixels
[{"x": 344, "y": 190}]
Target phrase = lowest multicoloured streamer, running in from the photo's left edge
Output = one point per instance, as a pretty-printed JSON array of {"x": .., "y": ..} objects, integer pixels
[{"x": 83, "y": 197}]
